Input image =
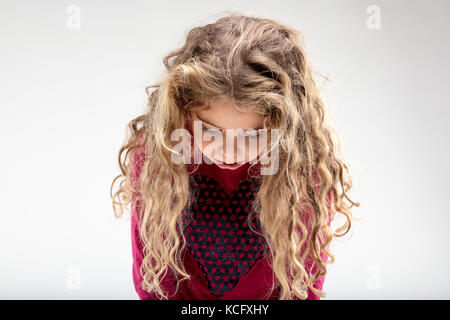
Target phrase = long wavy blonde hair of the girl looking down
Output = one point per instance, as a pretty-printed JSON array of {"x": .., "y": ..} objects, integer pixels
[{"x": 261, "y": 66}]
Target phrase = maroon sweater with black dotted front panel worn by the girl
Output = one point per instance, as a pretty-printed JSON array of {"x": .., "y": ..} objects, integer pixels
[{"x": 225, "y": 258}]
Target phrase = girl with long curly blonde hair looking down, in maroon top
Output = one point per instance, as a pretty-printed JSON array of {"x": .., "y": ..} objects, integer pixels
[{"x": 223, "y": 227}]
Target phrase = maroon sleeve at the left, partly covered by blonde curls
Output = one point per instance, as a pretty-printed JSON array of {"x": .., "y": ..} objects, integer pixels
[{"x": 168, "y": 282}]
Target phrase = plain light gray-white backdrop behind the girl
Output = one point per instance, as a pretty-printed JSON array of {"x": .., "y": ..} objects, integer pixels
[{"x": 72, "y": 74}]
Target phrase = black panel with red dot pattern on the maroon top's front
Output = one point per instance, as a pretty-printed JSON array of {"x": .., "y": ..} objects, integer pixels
[{"x": 217, "y": 232}]
